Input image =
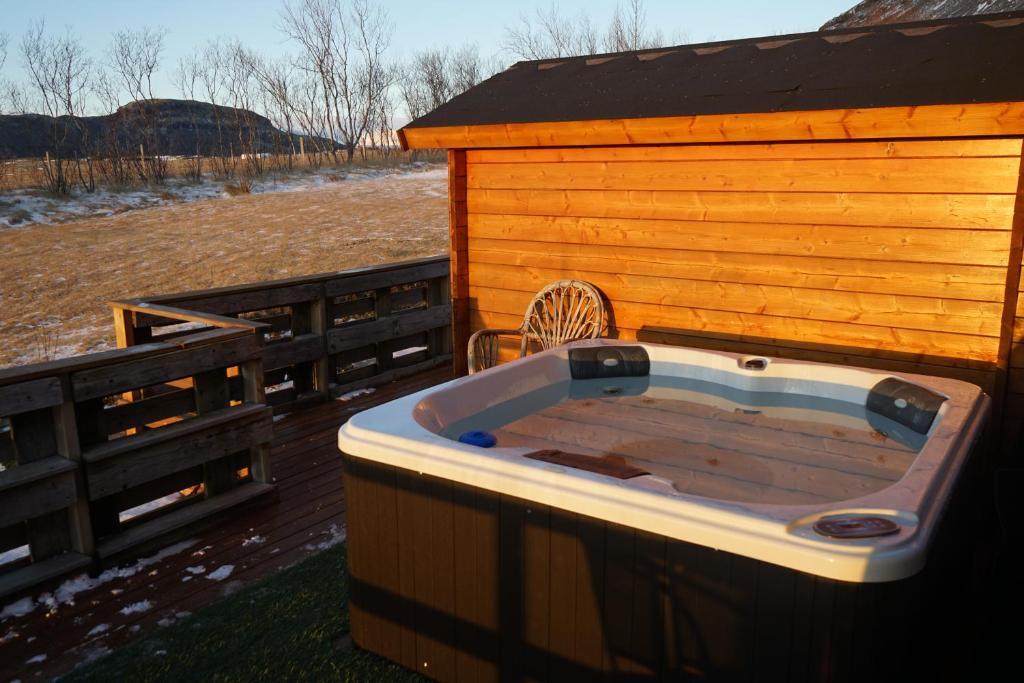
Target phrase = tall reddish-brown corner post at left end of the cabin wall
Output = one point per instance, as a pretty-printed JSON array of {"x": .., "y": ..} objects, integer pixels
[{"x": 459, "y": 239}]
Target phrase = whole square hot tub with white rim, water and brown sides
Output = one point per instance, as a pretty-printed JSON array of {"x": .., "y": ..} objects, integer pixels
[{"x": 652, "y": 511}]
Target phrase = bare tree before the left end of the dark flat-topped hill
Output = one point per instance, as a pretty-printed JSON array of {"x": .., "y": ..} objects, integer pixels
[{"x": 135, "y": 58}]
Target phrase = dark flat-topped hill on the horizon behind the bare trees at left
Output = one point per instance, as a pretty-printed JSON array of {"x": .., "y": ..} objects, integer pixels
[{"x": 179, "y": 127}]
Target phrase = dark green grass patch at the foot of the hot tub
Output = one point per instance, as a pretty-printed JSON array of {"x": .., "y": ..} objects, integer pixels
[{"x": 291, "y": 626}]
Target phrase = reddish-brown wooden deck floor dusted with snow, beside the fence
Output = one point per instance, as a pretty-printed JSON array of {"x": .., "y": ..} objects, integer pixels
[{"x": 309, "y": 516}]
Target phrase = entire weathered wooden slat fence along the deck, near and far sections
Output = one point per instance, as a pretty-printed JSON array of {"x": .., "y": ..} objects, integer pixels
[{"x": 187, "y": 404}]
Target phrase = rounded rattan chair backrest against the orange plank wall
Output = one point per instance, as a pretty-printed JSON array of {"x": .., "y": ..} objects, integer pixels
[{"x": 564, "y": 312}]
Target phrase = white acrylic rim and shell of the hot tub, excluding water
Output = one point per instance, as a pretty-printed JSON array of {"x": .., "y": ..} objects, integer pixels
[{"x": 400, "y": 434}]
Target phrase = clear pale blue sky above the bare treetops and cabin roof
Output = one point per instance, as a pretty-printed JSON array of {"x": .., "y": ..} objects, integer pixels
[{"x": 418, "y": 24}]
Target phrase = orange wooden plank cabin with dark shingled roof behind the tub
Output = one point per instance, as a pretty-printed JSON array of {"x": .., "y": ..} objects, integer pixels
[{"x": 851, "y": 196}]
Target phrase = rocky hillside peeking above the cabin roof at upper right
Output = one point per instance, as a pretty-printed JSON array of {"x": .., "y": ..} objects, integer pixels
[{"x": 874, "y": 13}]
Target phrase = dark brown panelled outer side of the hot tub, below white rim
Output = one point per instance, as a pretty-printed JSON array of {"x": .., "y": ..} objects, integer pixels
[{"x": 494, "y": 575}]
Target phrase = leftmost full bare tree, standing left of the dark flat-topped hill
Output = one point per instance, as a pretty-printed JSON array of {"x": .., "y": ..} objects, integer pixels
[{"x": 60, "y": 72}]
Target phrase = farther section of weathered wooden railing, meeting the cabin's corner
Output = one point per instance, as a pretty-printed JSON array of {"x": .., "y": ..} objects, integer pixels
[{"x": 324, "y": 335}]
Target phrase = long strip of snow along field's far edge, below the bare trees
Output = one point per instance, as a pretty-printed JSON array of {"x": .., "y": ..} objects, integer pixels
[{"x": 21, "y": 208}]
